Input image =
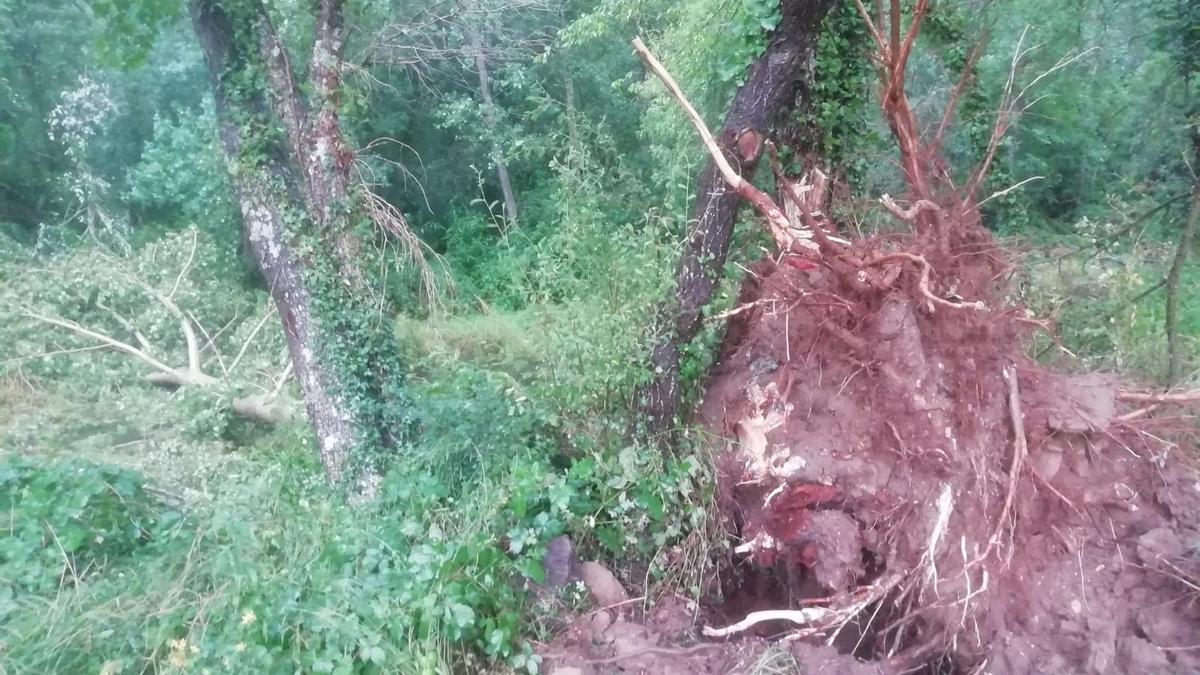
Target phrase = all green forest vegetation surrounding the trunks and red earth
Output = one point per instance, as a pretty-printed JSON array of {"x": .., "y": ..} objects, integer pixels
[{"x": 518, "y": 192}]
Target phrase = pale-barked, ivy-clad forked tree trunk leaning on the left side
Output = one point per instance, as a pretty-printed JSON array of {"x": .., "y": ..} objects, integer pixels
[{"x": 293, "y": 194}]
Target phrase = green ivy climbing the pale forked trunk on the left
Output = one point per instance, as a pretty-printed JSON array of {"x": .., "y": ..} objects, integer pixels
[{"x": 351, "y": 338}]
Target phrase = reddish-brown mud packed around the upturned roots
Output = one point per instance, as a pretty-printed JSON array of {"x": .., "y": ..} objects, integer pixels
[{"x": 1013, "y": 523}]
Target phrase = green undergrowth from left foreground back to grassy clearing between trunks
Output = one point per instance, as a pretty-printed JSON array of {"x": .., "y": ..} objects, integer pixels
[{"x": 229, "y": 554}]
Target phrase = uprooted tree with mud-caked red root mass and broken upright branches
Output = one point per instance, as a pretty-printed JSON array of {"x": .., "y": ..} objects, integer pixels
[{"x": 945, "y": 498}]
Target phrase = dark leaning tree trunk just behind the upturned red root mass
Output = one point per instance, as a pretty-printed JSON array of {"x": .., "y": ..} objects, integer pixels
[{"x": 775, "y": 82}]
